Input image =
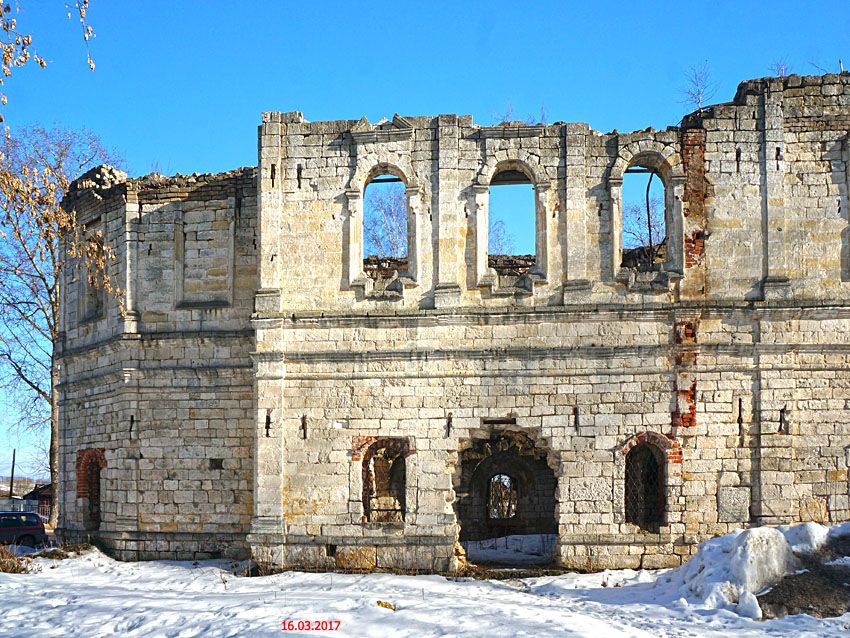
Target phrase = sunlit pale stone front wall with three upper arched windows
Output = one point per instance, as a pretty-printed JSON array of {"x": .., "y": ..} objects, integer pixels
[{"x": 587, "y": 357}]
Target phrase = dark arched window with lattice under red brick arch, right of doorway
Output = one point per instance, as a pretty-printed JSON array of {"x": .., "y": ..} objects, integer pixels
[{"x": 645, "y": 489}]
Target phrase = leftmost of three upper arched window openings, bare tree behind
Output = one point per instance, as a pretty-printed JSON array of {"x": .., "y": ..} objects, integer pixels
[{"x": 385, "y": 228}]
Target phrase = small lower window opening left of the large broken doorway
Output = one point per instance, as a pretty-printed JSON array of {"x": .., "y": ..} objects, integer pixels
[{"x": 385, "y": 482}]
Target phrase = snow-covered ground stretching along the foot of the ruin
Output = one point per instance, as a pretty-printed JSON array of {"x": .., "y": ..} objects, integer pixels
[{"x": 92, "y": 595}]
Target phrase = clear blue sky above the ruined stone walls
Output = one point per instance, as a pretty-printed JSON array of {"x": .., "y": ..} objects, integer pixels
[{"x": 179, "y": 86}]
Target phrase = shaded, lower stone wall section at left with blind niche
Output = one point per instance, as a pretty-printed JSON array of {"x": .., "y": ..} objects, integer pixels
[{"x": 166, "y": 390}]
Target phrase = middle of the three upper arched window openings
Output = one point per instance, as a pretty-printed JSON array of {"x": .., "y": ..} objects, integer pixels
[{"x": 511, "y": 223}]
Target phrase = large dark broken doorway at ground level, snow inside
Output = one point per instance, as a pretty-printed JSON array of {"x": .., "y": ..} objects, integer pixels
[{"x": 505, "y": 500}]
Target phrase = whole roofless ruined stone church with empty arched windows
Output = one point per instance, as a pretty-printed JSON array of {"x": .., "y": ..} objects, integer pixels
[{"x": 268, "y": 389}]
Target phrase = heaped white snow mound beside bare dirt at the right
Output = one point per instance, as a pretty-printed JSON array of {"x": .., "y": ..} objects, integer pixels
[{"x": 728, "y": 572}]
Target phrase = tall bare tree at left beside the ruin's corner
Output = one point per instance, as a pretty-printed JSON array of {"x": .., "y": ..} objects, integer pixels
[{"x": 40, "y": 240}]
